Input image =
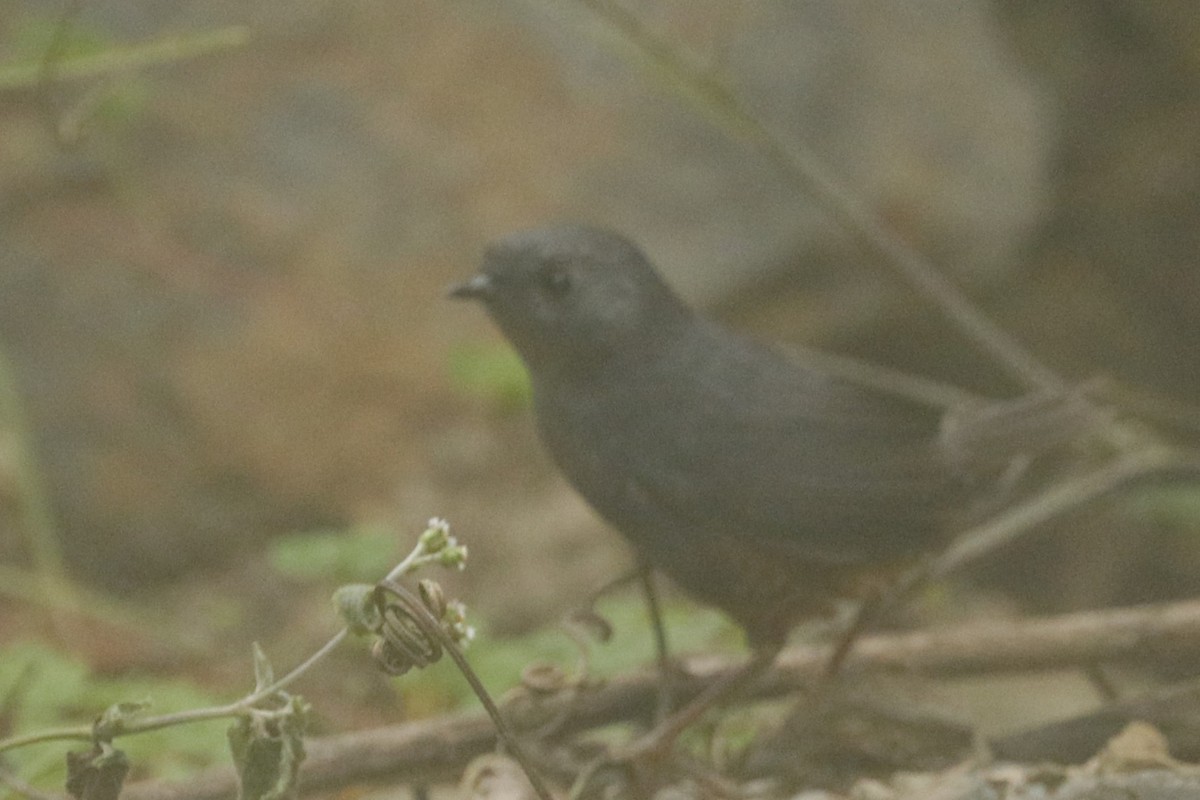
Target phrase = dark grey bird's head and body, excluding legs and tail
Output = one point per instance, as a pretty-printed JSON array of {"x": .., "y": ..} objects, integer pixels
[{"x": 761, "y": 486}]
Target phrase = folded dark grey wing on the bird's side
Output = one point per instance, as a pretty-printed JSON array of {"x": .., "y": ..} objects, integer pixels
[{"x": 763, "y": 449}]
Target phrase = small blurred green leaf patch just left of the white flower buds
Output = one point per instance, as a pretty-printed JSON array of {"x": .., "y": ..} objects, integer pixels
[{"x": 341, "y": 556}]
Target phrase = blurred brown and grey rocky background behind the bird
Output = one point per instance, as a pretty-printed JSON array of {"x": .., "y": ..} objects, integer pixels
[{"x": 223, "y": 278}]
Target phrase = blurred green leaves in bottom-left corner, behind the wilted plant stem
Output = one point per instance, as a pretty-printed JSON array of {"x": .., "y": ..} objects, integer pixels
[{"x": 46, "y": 689}]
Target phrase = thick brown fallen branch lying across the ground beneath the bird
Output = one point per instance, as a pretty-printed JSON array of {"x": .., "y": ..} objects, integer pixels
[{"x": 441, "y": 748}]
